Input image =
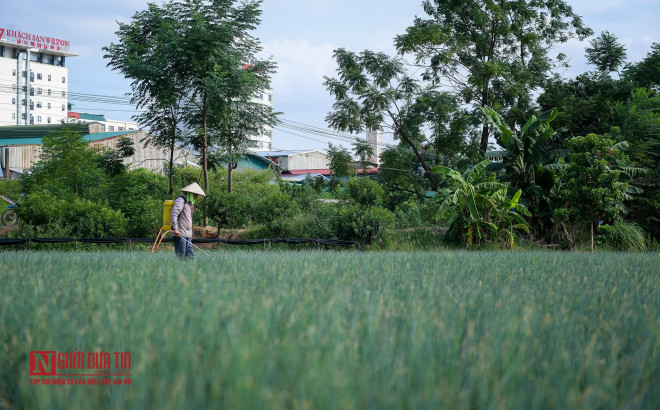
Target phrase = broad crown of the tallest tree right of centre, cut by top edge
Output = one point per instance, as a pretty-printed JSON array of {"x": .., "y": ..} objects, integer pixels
[{"x": 491, "y": 52}]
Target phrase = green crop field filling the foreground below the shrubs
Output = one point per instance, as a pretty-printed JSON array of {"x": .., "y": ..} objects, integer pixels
[{"x": 316, "y": 330}]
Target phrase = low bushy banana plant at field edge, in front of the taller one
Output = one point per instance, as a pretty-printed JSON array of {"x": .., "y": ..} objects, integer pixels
[{"x": 476, "y": 207}]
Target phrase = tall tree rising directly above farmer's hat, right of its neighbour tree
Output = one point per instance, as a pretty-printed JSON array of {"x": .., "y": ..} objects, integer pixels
[{"x": 217, "y": 46}]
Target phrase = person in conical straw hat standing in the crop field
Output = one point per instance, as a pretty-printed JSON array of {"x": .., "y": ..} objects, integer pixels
[{"x": 181, "y": 217}]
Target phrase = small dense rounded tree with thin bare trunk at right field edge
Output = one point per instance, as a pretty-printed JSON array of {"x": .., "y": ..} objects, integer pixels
[{"x": 592, "y": 189}]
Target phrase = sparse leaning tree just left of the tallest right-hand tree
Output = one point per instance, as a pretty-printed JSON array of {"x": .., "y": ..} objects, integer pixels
[{"x": 374, "y": 91}]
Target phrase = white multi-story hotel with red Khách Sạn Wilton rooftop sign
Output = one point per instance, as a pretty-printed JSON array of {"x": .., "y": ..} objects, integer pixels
[{"x": 33, "y": 78}]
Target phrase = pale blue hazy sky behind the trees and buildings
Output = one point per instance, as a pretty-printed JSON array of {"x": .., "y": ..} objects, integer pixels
[{"x": 300, "y": 35}]
